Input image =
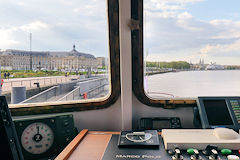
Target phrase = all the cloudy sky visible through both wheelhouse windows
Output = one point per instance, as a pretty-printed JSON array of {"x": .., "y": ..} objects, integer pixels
[{"x": 187, "y": 30}]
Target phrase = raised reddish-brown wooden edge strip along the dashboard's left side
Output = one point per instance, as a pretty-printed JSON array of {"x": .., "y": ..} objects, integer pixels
[{"x": 71, "y": 146}]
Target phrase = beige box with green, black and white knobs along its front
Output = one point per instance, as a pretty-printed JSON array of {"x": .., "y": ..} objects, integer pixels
[{"x": 200, "y": 144}]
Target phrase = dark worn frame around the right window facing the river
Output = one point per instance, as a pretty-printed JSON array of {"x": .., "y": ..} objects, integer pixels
[{"x": 138, "y": 65}]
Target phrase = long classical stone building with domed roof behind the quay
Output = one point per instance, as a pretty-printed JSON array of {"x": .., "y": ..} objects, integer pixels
[{"x": 32, "y": 60}]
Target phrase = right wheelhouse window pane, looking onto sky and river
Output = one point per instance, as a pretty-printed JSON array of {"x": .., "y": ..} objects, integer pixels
[{"x": 191, "y": 48}]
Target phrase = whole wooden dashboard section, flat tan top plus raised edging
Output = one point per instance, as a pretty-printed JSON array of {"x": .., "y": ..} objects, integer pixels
[{"x": 87, "y": 145}]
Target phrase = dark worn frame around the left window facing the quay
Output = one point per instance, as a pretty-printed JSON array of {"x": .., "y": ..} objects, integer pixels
[{"x": 91, "y": 104}]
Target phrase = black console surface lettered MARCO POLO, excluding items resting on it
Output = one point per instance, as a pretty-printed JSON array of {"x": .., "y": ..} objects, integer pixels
[{"x": 113, "y": 151}]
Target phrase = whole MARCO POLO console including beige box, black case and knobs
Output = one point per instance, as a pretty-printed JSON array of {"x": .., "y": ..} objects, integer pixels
[{"x": 175, "y": 144}]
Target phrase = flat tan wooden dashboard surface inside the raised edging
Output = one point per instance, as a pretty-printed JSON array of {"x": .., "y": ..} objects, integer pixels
[{"x": 92, "y": 147}]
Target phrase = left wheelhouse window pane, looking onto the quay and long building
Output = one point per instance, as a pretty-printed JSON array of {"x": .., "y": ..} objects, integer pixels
[{"x": 54, "y": 51}]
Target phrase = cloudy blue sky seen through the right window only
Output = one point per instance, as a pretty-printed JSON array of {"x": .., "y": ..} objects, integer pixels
[{"x": 191, "y": 30}]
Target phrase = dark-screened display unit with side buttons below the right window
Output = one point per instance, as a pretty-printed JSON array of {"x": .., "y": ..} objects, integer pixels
[{"x": 219, "y": 112}]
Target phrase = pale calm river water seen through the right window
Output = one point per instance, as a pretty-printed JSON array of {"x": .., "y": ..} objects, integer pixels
[{"x": 194, "y": 84}]
